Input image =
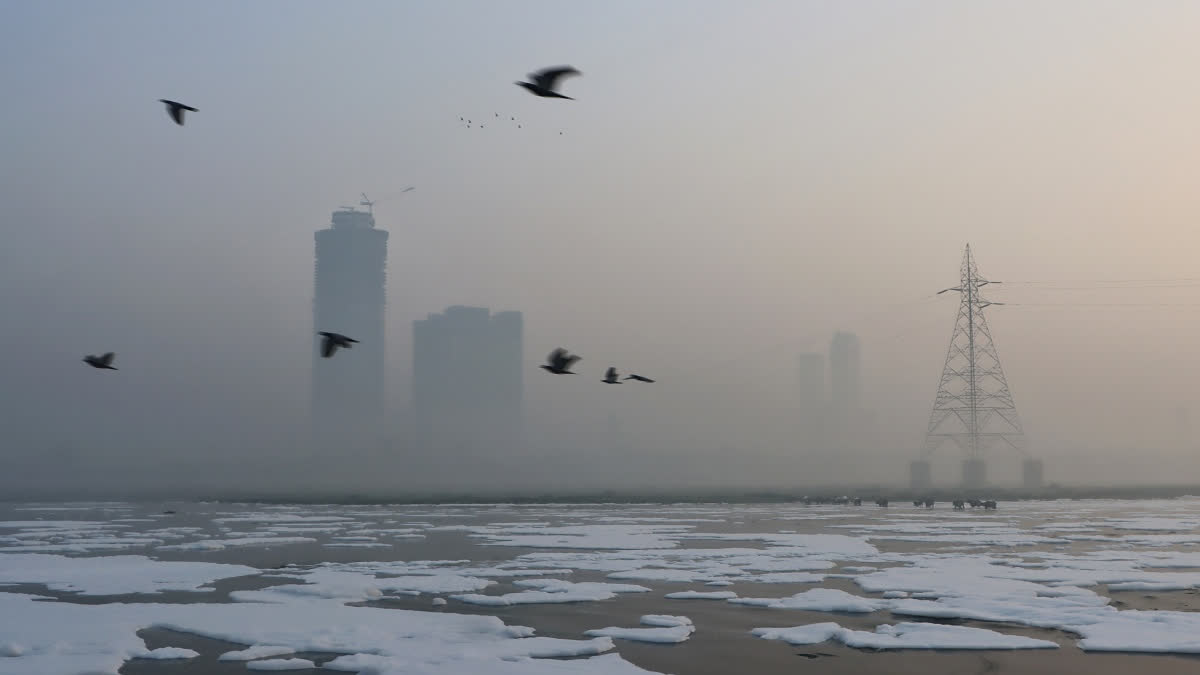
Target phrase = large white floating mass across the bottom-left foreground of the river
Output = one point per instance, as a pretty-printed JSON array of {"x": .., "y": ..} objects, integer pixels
[{"x": 56, "y": 638}]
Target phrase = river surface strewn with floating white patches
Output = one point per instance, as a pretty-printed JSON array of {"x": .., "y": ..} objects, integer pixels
[{"x": 688, "y": 589}]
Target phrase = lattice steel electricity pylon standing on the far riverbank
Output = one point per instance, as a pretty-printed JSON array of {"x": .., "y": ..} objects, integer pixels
[{"x": 974, "y": 407}]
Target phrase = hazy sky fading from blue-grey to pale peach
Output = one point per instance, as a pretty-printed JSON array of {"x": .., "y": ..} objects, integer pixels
[{"x": 734, "y": 183}]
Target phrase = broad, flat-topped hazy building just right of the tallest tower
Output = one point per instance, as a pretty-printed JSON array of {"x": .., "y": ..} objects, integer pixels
[{"x": 469, "y": 381}]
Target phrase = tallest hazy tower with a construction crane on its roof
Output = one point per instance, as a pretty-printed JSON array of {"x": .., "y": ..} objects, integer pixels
[{"x": 349, "y": 389}]
